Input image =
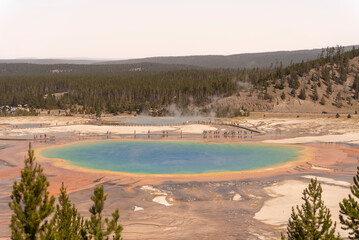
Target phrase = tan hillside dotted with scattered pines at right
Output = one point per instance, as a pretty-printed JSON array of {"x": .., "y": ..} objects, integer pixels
[{"x": 328, "y": 84}]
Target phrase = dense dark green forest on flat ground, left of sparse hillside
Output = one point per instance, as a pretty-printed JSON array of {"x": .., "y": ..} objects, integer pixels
[{"x": 117, "y": 93}]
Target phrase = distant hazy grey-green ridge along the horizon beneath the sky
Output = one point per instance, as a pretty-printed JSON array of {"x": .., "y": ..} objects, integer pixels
[{"x": 234, "y": 61}]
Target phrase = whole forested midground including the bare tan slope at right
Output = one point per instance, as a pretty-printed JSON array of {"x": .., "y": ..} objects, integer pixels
[{"x": 329, "y": 83}]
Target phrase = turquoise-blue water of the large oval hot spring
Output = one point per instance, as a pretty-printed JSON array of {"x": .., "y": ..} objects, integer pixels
[{"x": 166, "y": 157}]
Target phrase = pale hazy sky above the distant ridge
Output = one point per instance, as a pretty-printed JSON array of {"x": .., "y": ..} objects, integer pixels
[{"x": 142, "y": 28}]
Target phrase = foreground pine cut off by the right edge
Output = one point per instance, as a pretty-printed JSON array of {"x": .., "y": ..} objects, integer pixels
[{"x": 349, "y": 210}]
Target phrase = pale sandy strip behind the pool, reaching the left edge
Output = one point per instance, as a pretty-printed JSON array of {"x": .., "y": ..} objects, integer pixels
[{"x": 52, "y": 126}]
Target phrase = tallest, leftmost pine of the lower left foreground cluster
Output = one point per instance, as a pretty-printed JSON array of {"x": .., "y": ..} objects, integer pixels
[{"x": 30, "y": 202}]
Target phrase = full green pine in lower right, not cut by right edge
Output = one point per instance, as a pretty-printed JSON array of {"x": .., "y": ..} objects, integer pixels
[{"x": 312, "y": 219}]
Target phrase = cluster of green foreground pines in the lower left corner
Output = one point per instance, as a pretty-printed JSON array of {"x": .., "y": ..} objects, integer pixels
[{"x": 36, "y": 217}]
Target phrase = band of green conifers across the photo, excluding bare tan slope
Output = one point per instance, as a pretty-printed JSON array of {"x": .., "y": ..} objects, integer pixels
[{"x": 116, "y": 92}]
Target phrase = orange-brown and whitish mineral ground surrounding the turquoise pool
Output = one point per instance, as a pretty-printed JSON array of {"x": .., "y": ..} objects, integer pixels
[{"x": 246, "y": 205}]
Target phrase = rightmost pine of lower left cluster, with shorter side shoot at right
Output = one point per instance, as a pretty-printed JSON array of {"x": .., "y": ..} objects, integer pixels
[{"x": 95, "y": 225}]
